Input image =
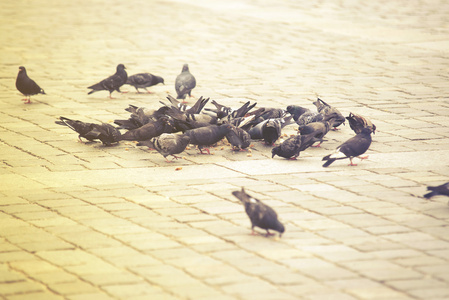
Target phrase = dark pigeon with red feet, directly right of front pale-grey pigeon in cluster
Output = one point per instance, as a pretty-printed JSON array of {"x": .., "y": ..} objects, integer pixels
[{"x": 205, "y": 136}]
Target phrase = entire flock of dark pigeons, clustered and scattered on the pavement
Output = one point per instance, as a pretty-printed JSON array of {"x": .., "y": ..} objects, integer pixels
[{"x": 173, "y": 126}]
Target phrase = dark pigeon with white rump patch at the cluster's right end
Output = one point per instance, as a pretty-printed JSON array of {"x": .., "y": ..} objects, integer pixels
[{"x": 354, "y": 147}]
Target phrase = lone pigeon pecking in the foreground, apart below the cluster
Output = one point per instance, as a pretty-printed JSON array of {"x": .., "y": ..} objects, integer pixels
[{"x": 260, "y": 214}]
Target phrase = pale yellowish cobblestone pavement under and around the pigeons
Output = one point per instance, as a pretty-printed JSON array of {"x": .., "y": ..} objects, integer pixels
[{"x": 91, "y": 222}]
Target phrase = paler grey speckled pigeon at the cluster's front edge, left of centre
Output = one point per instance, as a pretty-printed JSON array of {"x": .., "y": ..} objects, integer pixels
[{"x": 170, "y": 144}]
